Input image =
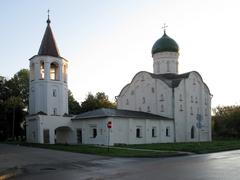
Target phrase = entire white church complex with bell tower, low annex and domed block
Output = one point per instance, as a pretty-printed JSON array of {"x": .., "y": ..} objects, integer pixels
[{"x": 157, "y": 107}]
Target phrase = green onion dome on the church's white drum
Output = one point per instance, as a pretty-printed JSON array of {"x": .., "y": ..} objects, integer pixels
[{"x": 165, "y": 44}]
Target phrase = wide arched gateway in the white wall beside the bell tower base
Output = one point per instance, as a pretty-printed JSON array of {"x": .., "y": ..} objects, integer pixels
[{"x": 63, "y": 135}]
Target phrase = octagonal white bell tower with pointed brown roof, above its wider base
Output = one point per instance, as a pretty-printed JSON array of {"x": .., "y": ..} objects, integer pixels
[{"x": 48, "y": 92}]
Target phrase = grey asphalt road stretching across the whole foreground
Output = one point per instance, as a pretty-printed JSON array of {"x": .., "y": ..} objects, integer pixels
[{"x": 73, "y": 166}]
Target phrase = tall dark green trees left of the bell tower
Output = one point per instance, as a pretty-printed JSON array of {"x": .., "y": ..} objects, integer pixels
[{"x": 13, "y": 102}]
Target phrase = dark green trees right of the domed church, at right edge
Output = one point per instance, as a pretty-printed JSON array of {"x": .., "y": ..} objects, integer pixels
[{"x": 226, "y": 122}]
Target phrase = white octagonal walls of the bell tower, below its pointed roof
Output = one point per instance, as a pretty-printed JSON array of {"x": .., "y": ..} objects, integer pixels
[{"x": 41, "y": 91}]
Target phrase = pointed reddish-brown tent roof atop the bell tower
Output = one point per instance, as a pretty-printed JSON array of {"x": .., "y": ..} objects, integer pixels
[{"x": 48, "y": 45}]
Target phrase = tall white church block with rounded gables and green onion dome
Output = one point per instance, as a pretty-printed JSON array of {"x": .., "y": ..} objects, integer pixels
[{"x": 183, "y": 97}]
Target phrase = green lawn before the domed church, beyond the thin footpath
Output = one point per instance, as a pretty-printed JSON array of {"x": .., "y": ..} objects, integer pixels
[{"x": 199, "y": 148}]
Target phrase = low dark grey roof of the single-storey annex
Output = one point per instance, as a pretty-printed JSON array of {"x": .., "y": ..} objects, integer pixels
[{"x": 107, "y": 112}]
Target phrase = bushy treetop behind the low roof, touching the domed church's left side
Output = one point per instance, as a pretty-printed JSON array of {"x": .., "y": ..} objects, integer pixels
[{"x": 100, "y": 100}]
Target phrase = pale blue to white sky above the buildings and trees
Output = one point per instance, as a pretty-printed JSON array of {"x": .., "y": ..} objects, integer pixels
[{"x": 107, "y": 42}]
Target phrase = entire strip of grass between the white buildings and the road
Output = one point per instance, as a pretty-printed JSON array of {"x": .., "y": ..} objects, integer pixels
[{"x": 146, "y": 150}]
